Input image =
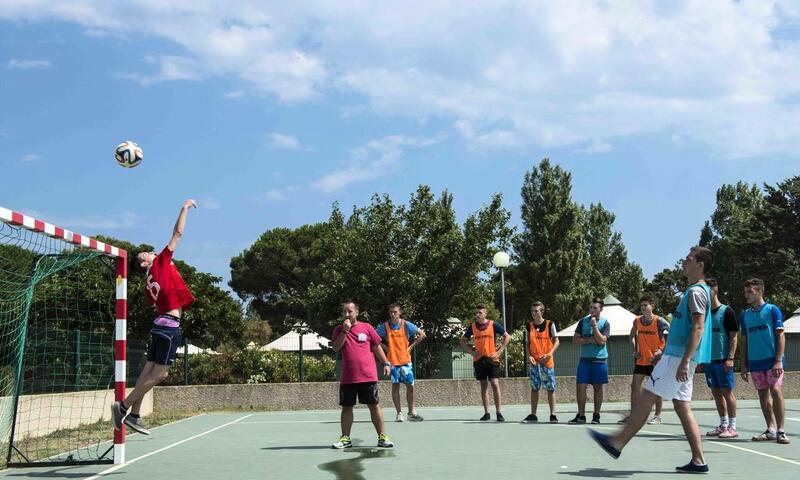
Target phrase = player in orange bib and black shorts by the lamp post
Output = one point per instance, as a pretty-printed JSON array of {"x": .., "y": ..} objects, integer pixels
[{"x": 486, "y": 357}]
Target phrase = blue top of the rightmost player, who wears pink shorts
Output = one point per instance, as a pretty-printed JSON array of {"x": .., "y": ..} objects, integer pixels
[{"x": 760, "y": 326}]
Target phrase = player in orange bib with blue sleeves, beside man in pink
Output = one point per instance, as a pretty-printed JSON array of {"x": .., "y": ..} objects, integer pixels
[{"x": 396, "y": 333}]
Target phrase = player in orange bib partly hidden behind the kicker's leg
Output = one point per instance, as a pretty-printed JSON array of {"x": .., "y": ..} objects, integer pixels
[{"x": 648, "y": 338}]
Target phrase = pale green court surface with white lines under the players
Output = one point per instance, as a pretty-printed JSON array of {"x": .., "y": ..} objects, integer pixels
[{"x": 450, "y": 443}]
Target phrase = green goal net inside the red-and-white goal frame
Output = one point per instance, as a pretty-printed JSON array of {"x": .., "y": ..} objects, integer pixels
[{"x": 56, "y": 349}]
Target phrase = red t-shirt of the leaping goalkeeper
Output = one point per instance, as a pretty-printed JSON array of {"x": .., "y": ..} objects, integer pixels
[{"x": 164, "y": 285}]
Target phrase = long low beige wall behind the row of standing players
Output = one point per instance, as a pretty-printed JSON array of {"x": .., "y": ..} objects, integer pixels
[{"x": 313, "y": 396}]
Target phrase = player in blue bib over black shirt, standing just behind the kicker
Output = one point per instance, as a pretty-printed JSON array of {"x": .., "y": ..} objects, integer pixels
[{"x": 719, "y": 373}]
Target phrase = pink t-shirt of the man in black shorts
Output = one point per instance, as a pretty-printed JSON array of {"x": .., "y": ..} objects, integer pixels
[{"x": 358, "y": 361}]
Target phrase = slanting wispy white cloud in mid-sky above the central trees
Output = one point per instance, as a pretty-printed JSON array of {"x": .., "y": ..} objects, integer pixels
[{"x": 378, "y": 158}]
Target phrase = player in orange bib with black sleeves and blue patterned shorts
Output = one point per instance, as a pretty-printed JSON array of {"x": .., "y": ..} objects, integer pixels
[{"x": 543, "y": 343}]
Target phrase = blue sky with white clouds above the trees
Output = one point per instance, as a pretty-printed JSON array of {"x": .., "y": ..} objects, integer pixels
[{"x": 266, "y": 114}]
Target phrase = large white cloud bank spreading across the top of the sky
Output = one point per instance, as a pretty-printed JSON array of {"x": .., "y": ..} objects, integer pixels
[{"x": 573, "y": 74}]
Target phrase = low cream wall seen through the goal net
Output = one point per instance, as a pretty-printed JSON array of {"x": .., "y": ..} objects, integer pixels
[{"x": 42, "y": 414}]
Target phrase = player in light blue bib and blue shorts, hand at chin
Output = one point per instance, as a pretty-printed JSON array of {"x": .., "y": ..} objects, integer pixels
[{"x": 591, "y": 334}]
